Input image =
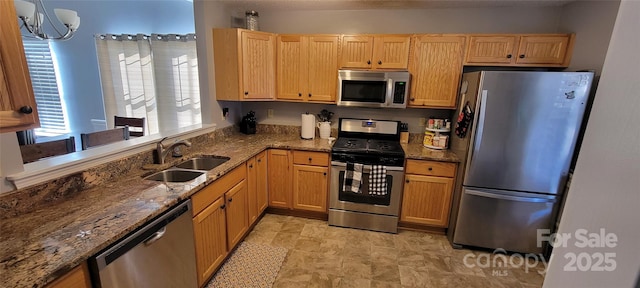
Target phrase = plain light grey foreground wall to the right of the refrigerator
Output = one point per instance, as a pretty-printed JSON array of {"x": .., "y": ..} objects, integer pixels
[{"x": 605, "y": 191}]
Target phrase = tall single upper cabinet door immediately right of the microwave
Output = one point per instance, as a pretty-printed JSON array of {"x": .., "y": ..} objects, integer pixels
[{"x": 435, "y": 68}]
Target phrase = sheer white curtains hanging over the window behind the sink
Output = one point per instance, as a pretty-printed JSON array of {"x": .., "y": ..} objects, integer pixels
[{"x": 155, "y": 77}]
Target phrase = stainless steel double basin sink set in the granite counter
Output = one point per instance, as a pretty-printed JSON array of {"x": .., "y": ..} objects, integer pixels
[{"x": 188, "y": 170}]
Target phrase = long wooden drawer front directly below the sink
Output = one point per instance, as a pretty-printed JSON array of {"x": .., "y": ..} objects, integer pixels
[{"x": 213, "y": 191}]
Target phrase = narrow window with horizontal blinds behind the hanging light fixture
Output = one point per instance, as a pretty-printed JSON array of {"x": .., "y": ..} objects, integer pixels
[{"x": 43, "y": 71}]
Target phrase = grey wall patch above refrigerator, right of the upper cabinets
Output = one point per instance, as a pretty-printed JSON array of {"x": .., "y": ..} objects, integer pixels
[{"x": 592, "y": 21}]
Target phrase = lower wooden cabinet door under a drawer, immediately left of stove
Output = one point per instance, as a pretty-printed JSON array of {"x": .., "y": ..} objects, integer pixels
[{"x": 310, "y": 188}]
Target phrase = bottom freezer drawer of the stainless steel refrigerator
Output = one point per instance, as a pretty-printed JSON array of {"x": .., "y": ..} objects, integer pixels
[{"x": 503, "y": 219}]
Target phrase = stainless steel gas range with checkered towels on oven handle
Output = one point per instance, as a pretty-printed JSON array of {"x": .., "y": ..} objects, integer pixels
[{"x": 367, "y": 168}]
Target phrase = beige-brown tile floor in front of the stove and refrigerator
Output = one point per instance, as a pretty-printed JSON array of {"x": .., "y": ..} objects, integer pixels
[{"x": 325, "y": 256}]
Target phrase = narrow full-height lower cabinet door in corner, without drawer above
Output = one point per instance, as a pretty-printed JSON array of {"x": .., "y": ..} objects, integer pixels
[{"x": 279, "y": 178}]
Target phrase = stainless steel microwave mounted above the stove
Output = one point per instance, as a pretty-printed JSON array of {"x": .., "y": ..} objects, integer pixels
[{"x": 374, "y": 89}]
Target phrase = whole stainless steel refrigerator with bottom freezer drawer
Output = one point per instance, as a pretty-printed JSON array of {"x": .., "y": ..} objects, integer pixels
[{"x": 515, "y": 155}]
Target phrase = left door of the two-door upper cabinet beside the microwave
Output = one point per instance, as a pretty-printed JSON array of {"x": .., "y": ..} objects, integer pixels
[{"x": 292, "y": 70}]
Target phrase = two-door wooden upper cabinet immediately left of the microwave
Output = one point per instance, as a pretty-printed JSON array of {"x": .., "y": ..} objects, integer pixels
[{"x": 307, "y": 67}]
